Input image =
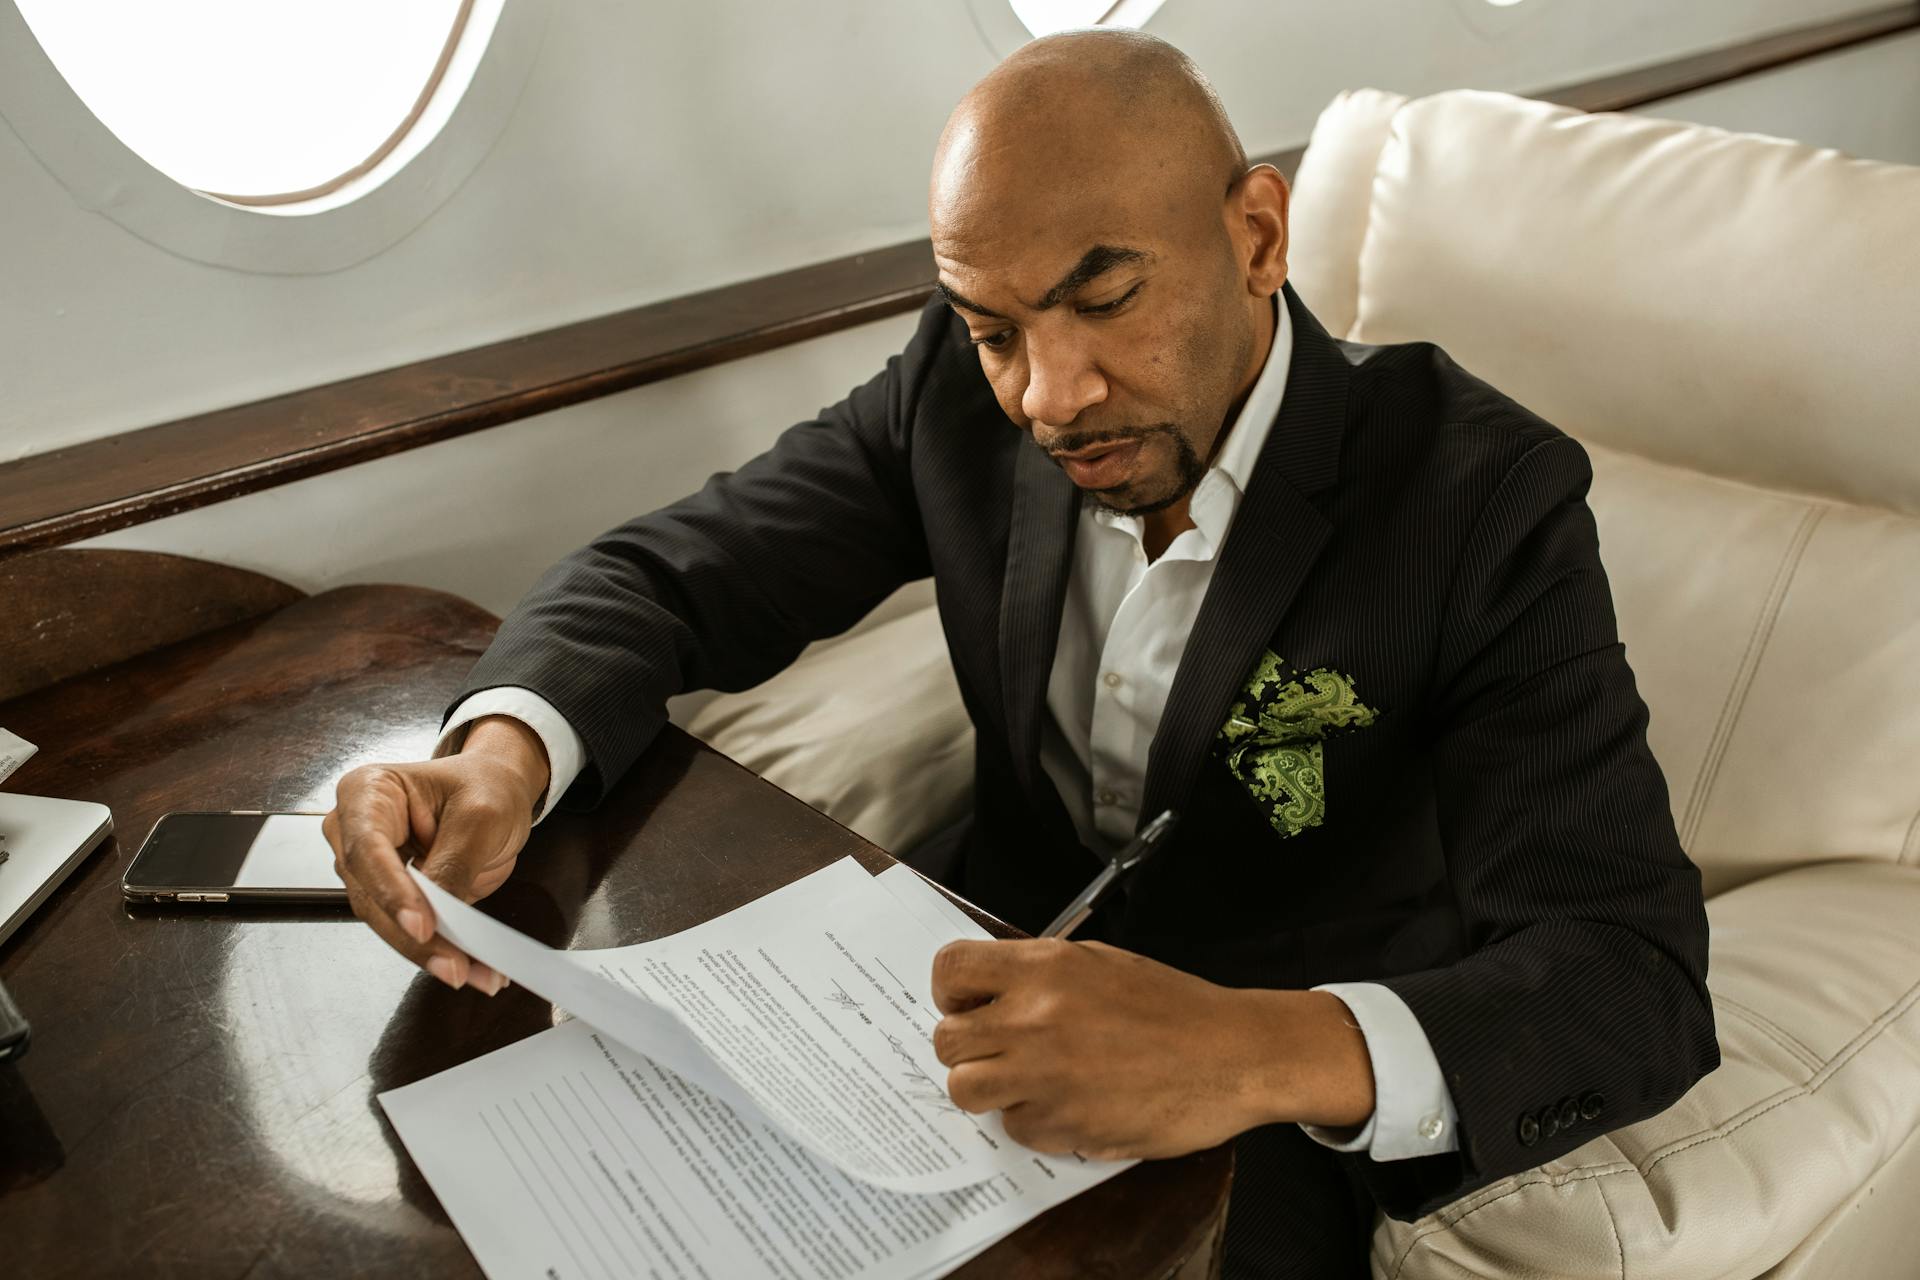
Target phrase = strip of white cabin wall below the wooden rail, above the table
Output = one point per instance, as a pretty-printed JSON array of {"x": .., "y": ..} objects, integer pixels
[{"x": 483, "y": 515}]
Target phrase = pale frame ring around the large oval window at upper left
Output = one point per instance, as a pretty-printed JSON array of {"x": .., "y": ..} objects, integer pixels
[{"x": 360, "y": 216}]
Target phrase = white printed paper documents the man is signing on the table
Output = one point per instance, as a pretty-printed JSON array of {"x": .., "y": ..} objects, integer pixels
[{"x": 756, "y": 1097}]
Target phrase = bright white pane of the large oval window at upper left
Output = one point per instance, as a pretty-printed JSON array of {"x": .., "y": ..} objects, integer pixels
[{"x": 260, "y": 105}]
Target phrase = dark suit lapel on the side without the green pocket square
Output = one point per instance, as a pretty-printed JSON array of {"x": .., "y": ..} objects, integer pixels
[{"x": 1040, "y": 556}]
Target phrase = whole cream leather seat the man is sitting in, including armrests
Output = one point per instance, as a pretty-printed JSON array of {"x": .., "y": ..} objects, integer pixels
[{"x": 1733, "y": 329}]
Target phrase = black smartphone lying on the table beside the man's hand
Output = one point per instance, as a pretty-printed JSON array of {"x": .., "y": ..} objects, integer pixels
[{"x": 235, "y": 857}]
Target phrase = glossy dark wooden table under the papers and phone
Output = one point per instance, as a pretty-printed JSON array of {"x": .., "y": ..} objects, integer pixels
[{"x": 201, "y": 1089}]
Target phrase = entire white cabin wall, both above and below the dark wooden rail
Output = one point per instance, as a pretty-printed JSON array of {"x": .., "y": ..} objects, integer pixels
[{"x": 658, "y": 151}]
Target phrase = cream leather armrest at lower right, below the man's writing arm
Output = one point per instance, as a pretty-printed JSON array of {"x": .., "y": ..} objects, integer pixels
[{"x": 1815, "y": 980}]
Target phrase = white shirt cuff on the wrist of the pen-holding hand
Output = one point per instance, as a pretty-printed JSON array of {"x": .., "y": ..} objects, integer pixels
[{"x": 1412, "y": 1106}]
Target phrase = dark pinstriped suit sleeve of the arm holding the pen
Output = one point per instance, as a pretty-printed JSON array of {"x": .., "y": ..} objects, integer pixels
[{"x": 1581, "y": 1005}]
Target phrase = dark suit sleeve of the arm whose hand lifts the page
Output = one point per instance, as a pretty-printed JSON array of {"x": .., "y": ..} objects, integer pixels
[{"x": 727, "y": 586}]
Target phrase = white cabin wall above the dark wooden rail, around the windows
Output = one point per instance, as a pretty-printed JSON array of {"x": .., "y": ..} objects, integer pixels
[{"x": 661, "y": 149}]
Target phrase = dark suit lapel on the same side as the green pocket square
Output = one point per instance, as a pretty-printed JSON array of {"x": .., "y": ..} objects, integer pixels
[{"x": 1276, "y": 538}]
